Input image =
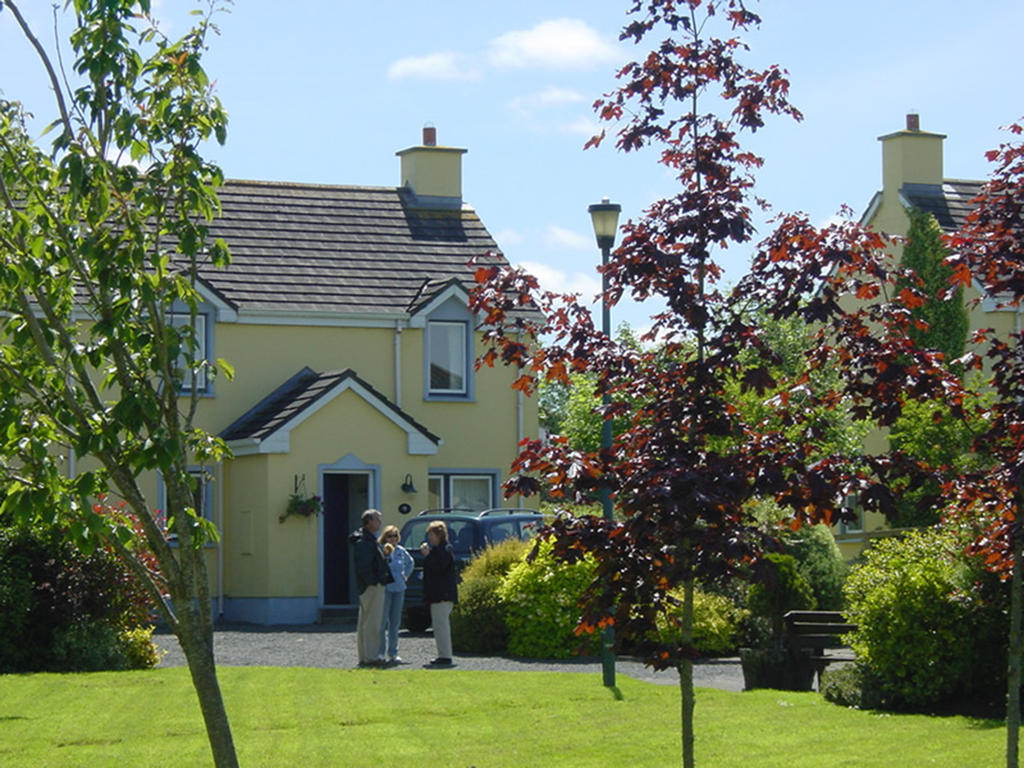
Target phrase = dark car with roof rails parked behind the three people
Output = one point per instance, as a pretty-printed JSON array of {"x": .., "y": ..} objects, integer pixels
[{"x": 468, "y": 533}]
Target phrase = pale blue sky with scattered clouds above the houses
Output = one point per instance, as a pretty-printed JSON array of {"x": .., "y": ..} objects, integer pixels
[{"x": 327, "y": 93}]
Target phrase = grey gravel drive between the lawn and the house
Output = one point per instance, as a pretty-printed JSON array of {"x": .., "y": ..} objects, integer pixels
[{"x": 334, "y": 648}]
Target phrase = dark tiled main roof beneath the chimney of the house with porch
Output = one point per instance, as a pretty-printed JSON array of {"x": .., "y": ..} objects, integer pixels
[{"x": 339, "y": 249}]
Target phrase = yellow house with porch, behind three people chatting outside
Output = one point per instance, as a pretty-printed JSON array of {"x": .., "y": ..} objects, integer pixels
[{"x": 345, "y": 315}]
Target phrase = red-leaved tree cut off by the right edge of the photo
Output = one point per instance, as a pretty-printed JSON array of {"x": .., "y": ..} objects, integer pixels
[{"x": 990, "y": 251}]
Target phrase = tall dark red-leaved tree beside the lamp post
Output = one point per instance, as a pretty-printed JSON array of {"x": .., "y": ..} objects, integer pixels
[{"x": 689, "y": 463}]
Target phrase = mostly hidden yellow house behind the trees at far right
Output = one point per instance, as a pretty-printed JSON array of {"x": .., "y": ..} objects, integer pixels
[{"x": 913, "y": 178}]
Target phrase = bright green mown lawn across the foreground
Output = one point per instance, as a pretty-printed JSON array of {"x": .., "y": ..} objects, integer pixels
[{"x": 423, "y": 718}]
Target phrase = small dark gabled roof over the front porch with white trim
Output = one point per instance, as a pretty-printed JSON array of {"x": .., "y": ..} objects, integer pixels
[{"x": 298, "y": 395}]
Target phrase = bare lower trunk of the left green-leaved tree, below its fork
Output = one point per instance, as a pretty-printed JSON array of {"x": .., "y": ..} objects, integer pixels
[{"x": 198, "y": 648}]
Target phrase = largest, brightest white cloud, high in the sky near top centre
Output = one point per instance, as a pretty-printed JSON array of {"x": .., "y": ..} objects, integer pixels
[{"x": 560, "y": 44}]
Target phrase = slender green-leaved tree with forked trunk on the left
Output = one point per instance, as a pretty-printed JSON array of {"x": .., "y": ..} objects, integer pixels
[{"x": 101, "y": 238}]
